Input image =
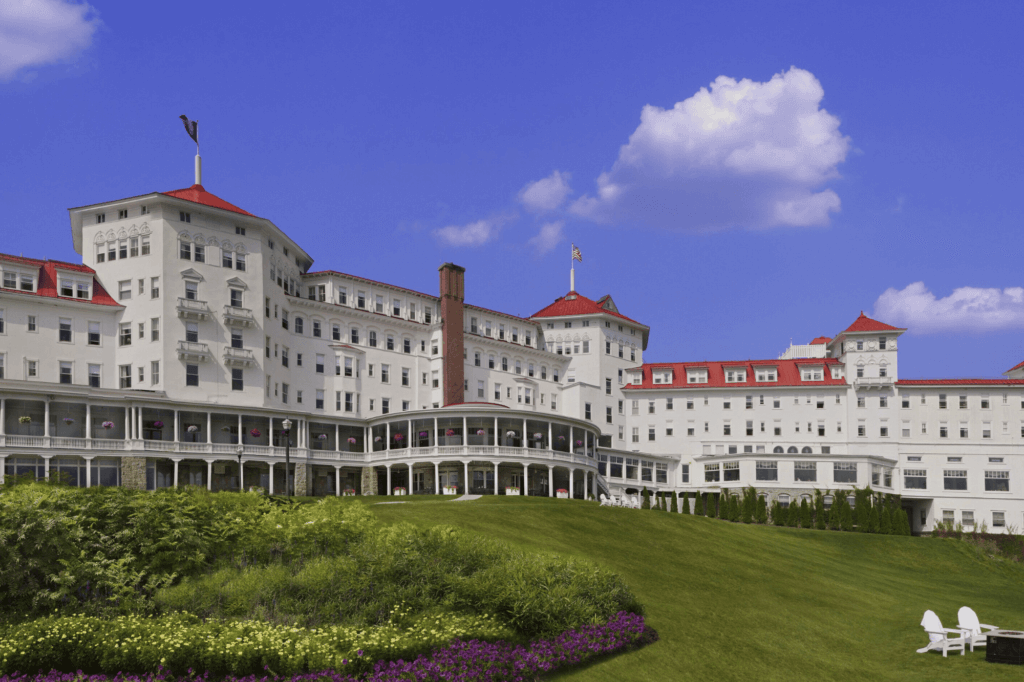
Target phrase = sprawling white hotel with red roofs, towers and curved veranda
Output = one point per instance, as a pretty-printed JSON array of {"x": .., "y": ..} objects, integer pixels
[{"x": 194, "y": 329}]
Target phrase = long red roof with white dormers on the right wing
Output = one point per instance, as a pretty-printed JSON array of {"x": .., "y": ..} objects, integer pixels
[{"x": 789, "y": 374}]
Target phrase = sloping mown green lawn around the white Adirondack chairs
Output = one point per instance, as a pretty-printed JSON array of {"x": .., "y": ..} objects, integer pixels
[{"x": 734, "y": 602}]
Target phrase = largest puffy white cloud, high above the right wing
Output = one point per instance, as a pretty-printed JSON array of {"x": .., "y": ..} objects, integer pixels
[{"x": 740, "y": 155}]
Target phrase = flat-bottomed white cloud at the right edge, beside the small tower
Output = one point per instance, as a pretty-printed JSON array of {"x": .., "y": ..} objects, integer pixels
[{"x": 967, "y": 310}]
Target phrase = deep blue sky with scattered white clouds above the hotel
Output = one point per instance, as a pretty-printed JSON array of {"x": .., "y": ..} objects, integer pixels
[{"x": 736, "y": 175}]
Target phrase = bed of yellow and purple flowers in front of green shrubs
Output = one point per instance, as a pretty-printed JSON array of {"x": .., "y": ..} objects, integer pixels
[{"x": 460, "y": 660}]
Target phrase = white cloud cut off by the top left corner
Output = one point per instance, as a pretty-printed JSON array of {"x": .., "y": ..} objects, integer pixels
[{"x": 40, "y": 32}]
